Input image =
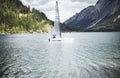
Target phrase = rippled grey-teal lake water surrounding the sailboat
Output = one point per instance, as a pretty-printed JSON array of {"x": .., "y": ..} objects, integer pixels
[{"x": 91, "y": 55}]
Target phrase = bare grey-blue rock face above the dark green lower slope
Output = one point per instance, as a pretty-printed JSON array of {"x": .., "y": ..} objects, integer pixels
[{"x": 92, "y": 15}]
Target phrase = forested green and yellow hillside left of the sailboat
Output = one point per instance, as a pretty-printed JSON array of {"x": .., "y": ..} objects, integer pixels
[{"x": 18, "y": 18}]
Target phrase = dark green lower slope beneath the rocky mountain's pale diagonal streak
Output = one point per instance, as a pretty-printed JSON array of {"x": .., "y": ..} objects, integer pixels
[{"x": 111, "y": 23}]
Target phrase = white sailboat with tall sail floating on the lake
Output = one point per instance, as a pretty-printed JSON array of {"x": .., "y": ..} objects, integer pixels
[{"x": 56, "y": 35}]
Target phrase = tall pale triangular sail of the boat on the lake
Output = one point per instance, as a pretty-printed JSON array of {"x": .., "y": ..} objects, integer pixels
[{"x": 57, "y": 22}]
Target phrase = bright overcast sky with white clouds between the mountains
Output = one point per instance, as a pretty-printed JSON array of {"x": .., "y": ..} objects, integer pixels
[{"x": 67, "y": 8}]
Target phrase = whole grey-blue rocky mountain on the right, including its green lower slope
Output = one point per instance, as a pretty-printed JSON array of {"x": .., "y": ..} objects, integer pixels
[{"x": 104, "y": 16}]
